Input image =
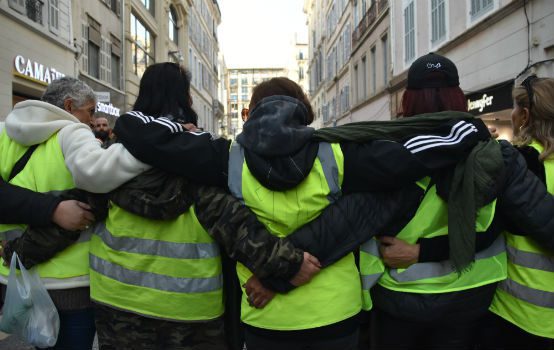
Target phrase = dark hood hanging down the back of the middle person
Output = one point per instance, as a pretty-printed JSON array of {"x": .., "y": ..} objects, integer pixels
[{"x": 277, "y": 143}]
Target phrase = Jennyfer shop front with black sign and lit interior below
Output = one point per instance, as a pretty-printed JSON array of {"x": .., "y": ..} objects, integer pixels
[{"x": 494, "y": 106}]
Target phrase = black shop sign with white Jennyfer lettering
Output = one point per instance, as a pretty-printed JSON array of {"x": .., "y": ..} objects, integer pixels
[{"x": 494, "y": 98}]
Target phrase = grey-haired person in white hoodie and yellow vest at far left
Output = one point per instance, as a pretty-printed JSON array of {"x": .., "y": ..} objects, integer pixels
[{"x": 67, "y": 155}]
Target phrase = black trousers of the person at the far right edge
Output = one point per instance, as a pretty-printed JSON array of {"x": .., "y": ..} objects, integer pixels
[{"x": 496, "y": 333}]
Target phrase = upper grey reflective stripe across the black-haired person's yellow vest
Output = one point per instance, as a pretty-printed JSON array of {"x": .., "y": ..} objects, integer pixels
[{"x": 159, "y": 248}]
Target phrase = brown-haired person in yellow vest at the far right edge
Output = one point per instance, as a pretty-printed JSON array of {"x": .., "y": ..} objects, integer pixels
[{"x": 524, "y": 302}]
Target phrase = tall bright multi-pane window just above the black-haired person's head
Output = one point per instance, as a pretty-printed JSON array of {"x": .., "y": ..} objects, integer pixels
[{"x": 142, "y": 46}]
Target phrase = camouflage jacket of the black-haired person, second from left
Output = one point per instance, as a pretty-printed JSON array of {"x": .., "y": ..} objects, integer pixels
[{"x": 161, "y": 196}]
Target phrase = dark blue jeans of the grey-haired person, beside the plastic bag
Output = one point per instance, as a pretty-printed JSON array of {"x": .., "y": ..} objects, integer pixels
[{"x": 76, "y": 330}]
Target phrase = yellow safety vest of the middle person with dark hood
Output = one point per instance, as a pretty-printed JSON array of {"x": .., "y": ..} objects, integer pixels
[{"x": 334, "y": 294}]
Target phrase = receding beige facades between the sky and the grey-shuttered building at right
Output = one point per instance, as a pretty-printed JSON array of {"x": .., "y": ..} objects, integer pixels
[{"x": 349, "y": 66}]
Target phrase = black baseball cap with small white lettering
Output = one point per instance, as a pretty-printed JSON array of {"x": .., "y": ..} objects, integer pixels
[{"x": 432, "y": 70}]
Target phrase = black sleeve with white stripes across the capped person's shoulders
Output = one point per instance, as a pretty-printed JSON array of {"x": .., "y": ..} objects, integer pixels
[{"x": 384, "y": 165}]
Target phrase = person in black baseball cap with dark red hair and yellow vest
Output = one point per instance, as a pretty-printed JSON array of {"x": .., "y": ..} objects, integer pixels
[{"x": 432, "y": 304}]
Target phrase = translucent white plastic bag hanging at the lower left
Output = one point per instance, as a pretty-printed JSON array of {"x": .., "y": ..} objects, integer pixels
[{"x": 28, "y": 310}]
